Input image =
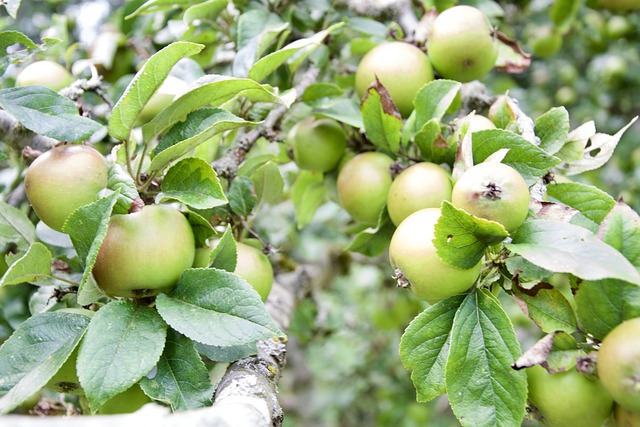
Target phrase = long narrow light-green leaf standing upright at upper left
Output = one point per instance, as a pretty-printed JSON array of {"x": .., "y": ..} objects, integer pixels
[{"x": 143, "y": 86}]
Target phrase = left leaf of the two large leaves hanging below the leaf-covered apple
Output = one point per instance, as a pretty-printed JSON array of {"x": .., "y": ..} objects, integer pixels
[{"x": 424, "y": 347}]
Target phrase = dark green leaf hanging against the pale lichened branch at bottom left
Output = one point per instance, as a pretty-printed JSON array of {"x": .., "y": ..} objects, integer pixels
[{"x": 180, "y": 378}]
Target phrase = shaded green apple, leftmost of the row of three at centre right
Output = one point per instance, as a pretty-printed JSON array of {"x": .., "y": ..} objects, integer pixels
[{"x": 363, "y": 185}]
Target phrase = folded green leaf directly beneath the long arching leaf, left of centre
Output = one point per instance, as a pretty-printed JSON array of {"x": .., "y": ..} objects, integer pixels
[{"x": 173, "y": 146}]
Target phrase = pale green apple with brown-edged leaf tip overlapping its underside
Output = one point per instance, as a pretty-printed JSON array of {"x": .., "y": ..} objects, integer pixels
[{"x": 402, "y": 69}]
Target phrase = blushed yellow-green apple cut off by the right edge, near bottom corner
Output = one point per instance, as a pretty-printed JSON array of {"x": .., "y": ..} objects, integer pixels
[{"x": 619, "y": 364}]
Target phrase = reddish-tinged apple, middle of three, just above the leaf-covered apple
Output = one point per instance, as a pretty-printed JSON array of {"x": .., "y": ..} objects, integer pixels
[{"x": 422, "y": 185}]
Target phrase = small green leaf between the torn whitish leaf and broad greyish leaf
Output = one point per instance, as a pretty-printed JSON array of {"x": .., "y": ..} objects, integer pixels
[{"x": 594, "y": 203}]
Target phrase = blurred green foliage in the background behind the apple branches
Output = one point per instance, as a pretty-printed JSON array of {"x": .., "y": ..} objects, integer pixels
[{"x": 343, "y": 367}]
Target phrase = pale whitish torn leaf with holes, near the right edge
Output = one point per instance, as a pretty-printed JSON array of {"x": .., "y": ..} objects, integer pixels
[{"x": 597, "y": 153}]
